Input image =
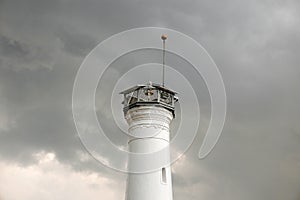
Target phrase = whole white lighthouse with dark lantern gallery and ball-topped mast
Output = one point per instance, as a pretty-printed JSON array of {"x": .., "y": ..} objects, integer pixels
[{"x": 149, "y": 110}]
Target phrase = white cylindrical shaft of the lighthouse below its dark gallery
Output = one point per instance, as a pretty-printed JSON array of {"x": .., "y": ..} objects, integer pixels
[{"x": 149, "y": 127}]
